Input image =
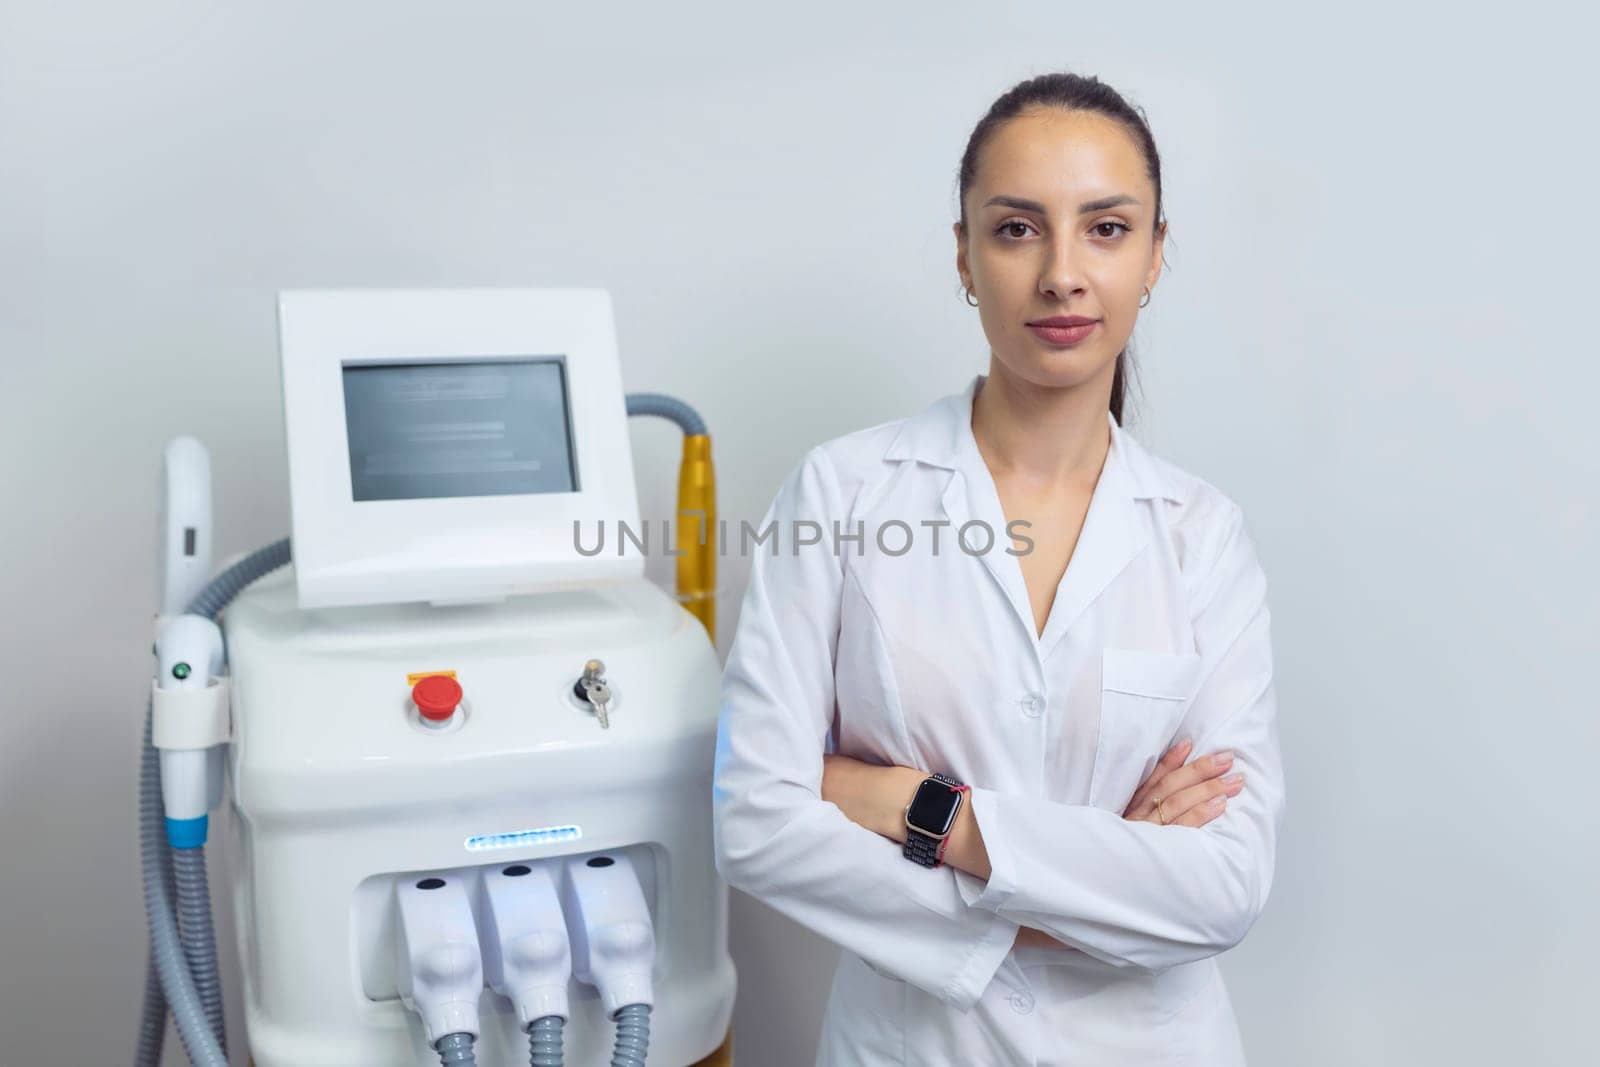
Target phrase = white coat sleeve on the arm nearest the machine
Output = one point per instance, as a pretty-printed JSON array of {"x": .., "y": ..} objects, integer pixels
[{"x": 775, "y": 836}]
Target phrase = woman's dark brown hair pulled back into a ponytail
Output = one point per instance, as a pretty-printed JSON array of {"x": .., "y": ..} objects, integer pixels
[{"x": 1070, "y": 92}]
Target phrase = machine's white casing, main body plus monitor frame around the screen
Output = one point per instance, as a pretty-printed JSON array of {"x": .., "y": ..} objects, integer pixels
[{"x": 340, "y": 791}]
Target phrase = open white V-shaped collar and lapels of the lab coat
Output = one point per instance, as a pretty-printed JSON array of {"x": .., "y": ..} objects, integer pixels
[{"x": 942, "y": 436}]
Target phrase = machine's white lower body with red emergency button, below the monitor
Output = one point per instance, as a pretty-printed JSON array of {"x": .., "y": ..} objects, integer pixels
[{"x": 340, "y": 791}]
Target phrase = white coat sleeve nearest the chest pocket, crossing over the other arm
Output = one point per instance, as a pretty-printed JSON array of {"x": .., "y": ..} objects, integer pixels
[{"x": 1153, "y": 897}]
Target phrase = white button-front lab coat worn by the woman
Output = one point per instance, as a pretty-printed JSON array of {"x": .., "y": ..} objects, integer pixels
[{"x": 930, "y": 660}]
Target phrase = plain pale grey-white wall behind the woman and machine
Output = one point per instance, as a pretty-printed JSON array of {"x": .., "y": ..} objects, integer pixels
[{"x": 1374, "y": 335}]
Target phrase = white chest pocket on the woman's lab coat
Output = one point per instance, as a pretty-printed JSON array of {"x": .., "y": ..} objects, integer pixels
[{"x": 1143, "y": 698}]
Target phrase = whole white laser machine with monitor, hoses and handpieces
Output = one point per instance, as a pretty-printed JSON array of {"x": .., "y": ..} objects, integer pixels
[{"x": 468, "y": 745}]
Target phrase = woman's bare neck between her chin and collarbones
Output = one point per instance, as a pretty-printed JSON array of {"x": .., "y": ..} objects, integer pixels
[{"x": 1038, "y": 434}]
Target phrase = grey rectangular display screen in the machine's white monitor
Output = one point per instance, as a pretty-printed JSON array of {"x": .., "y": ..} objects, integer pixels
[{"x": 470, "y": 428}]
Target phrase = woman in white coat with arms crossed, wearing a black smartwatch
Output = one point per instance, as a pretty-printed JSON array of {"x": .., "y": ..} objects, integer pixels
[{"x": 1060, "y": 892}]
